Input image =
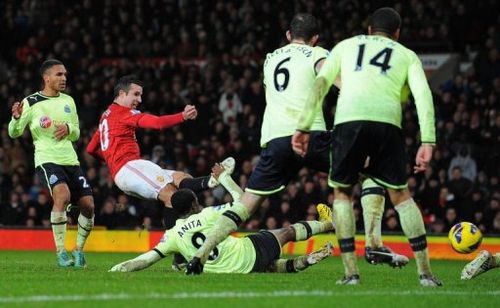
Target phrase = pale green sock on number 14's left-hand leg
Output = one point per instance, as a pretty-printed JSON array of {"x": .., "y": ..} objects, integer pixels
[{"x": 343, "y": 216}]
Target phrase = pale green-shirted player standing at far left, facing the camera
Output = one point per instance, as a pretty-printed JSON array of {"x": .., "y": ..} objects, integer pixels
[{"x": 53, "y": 122}]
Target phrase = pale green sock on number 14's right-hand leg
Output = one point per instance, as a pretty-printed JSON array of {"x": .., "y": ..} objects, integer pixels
[{"x": 414, "y": 229}]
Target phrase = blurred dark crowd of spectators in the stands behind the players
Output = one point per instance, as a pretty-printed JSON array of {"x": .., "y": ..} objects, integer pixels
[{"x": 209, "y": 53}]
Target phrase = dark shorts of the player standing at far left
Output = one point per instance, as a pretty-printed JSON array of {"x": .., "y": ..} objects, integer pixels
[{"x": 52, "y": 174}]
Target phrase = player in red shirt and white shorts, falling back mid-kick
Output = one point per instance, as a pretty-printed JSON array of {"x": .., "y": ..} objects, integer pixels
[{"x": 115, "y": 142}]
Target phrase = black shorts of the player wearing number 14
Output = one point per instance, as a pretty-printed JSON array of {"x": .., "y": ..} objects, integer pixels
[{"x": 354, "y": 141}]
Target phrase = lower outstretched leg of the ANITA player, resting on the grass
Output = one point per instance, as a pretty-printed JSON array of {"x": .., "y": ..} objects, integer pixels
[{"x": 298, "y": 264}]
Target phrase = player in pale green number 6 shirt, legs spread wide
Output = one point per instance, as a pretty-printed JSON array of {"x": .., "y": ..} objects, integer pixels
[{"x": 289, "y": 74}]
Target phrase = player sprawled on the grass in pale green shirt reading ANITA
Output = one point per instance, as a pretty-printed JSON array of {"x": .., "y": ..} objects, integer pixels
[{"x": 258, "y": 252}]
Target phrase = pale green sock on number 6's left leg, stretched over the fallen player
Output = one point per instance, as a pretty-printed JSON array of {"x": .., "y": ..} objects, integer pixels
[{"x": 227, "y": 222}]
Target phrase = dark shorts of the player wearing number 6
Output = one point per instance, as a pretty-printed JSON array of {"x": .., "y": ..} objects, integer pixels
[{"x": 278, "y": 163}]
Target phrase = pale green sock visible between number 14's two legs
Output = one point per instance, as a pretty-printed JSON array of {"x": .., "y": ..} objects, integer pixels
[{"x": 372, "y": 202}]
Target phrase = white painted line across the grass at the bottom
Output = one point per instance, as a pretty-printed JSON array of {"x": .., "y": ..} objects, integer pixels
[{"x": 231, "y": 294}]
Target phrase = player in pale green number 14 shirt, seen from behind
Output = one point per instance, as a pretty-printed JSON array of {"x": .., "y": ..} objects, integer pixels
[{"x": 374, "y": 69}]
